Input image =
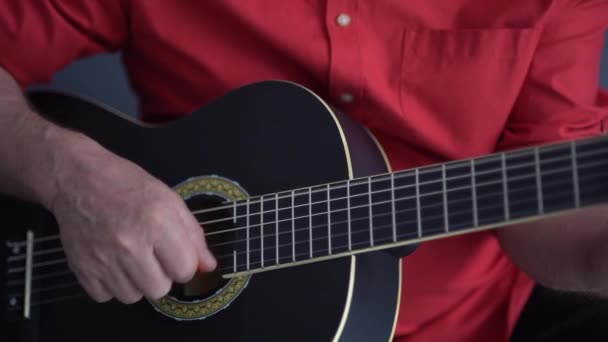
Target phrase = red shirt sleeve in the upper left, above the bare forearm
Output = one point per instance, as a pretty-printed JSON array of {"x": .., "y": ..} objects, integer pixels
[{"x": 39, "y": 37}]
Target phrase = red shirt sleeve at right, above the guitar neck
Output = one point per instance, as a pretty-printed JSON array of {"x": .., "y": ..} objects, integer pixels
[{"x": 561, "y": 98}]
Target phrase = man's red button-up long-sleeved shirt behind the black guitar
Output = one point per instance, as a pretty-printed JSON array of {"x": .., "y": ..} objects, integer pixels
[{"x": 435, "y": 80}]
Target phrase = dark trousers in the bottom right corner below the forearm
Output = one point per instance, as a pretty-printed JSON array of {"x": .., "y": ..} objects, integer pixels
[{"x": 550, "y": 315}]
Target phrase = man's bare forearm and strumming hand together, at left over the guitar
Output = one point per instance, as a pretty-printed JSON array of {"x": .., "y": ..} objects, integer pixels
[{"x": 126, "y": 234}]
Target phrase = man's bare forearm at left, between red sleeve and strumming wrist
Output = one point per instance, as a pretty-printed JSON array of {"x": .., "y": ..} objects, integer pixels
[{"x": 29, "y": 146}]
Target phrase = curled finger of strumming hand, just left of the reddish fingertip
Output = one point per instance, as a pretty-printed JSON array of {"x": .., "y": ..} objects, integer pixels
[{"x": 177, "y": 257}]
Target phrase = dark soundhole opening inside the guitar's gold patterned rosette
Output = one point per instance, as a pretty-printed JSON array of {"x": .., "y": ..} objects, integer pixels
[{"x": 210, "y": 212}]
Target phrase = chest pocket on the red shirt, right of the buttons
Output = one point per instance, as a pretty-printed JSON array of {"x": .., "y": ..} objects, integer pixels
[{"x": 463, "y": 79}]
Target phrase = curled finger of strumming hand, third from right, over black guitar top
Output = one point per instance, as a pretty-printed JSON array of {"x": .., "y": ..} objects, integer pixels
[{"x": 147, "y": 275}]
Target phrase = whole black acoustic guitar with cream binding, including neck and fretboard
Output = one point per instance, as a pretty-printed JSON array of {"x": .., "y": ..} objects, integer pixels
[{"x": 301, "y": 209}]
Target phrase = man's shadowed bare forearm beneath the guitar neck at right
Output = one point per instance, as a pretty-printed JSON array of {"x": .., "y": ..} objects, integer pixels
[{"x": 565, "y": 252}]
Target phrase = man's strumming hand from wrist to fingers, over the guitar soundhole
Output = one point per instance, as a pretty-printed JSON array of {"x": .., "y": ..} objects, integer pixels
[{"x": 126, "y": 234}]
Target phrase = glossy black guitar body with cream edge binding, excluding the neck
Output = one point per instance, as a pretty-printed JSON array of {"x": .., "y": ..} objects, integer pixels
[{"x": 268, "y": 137}]
